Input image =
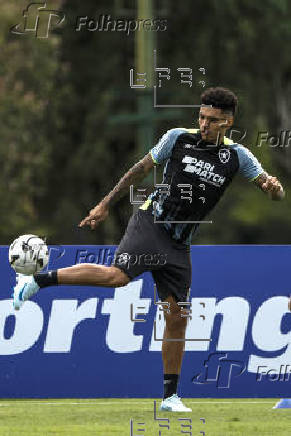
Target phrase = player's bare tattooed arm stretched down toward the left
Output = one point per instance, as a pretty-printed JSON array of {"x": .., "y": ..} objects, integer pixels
[{"x": 135, "y": 174}]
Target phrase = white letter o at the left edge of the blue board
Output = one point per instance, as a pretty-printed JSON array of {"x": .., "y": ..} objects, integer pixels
[{"x": 28, "y": 327}]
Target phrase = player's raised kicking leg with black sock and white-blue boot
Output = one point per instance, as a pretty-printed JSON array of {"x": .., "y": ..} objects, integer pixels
[{"x": 85, "y": 274}]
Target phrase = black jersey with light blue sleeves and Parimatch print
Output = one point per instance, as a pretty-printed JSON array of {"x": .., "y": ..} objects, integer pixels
[{"x": 196, "y": 174}]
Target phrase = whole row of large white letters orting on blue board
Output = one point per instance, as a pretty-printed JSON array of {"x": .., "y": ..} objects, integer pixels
[{"x": 66, "y": 315}]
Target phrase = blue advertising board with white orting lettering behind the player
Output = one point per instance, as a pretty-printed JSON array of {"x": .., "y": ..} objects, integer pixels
[{"x": 73, "y": 341}]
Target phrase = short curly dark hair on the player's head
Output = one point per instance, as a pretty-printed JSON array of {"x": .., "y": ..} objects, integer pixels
[{"x": 220, "y": 98}]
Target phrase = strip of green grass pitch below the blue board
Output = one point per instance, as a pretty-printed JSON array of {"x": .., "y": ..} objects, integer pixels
[{"x": 106, "y": 417}]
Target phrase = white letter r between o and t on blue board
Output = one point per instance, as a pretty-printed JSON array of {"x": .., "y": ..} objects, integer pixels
[{"x": 64, "y": 318}]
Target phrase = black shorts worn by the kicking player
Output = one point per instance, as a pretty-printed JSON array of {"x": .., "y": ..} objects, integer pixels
[{"x": 146, "y": 246}]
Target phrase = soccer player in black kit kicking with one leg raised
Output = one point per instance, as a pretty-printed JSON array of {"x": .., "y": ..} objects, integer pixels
[{"x": 199, "y": 166}]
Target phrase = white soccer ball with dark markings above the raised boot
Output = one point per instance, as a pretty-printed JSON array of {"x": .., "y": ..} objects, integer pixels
[{"x": 28, "y": 254}]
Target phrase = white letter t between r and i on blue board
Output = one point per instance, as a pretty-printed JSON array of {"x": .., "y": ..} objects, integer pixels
[{"x": 119, "y": 336}]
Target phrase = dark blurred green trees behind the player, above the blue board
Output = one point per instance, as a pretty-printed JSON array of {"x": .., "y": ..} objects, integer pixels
[{"x": 59, "y": 153}]
